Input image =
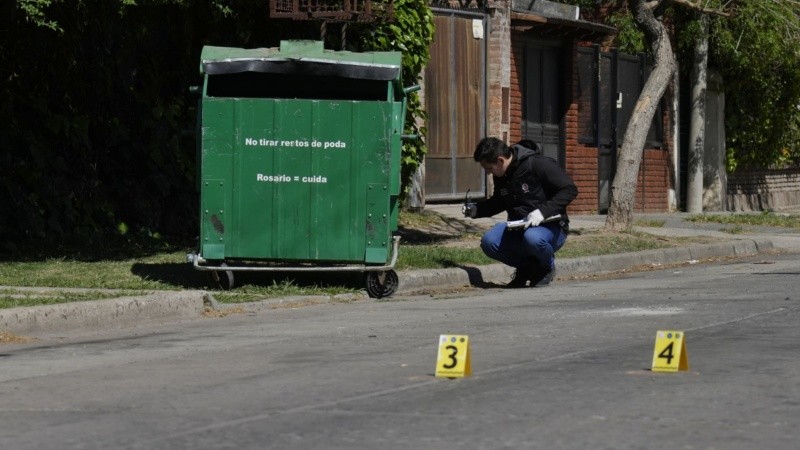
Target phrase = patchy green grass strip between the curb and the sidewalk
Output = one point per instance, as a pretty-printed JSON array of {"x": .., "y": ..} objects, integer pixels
[{"x": 168, "y": 269}]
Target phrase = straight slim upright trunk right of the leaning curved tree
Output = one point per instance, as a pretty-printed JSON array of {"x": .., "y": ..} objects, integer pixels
[{"x": 697, "y": 128}]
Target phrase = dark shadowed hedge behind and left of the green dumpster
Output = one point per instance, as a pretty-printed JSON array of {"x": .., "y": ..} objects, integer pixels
[{"x": 97, "y": 134}]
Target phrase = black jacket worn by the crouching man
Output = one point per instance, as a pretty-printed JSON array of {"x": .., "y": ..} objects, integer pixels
[{"x": 532, "y": 181}]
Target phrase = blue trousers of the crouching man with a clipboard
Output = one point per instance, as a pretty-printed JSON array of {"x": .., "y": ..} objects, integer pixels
[{"x": 519, "y": 249}]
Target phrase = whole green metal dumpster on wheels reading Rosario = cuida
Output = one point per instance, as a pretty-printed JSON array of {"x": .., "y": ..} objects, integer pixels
[{"x": 299, "y": 162}]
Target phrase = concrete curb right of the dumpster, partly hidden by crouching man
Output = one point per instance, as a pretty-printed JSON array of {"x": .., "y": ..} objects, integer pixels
[{"x": 420, "y": 280}]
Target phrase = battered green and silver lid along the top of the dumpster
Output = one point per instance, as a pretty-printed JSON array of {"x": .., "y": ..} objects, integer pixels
[{"x": 301, "y": 57}]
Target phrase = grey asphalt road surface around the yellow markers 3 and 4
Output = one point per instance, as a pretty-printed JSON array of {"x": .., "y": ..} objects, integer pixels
[{"x": 562, "y": 367}]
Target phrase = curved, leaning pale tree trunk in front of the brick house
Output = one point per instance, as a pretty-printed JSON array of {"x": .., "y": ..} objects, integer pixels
[{"x": 623, "y": 190}]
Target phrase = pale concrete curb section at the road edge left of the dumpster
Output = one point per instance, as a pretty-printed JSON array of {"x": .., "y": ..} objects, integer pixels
[{"x": 103, "y": 314}]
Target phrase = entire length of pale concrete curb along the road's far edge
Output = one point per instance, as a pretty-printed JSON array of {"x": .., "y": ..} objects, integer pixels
[{"x": 178, "y": 305}]
